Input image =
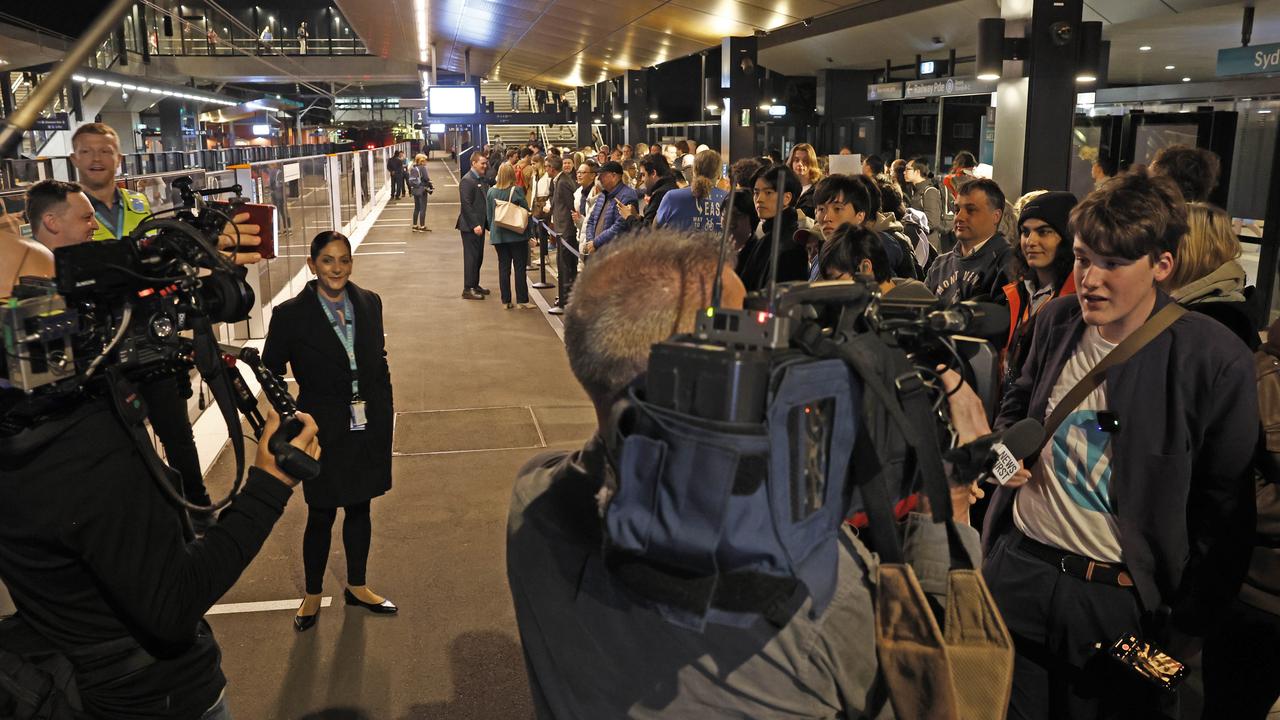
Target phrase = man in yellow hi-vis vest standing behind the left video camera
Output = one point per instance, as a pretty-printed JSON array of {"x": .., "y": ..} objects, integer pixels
[{"x": 97, "y": 156}]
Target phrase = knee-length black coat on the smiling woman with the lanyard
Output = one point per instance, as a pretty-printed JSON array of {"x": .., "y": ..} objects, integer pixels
[{"x": 355, "y": 466}]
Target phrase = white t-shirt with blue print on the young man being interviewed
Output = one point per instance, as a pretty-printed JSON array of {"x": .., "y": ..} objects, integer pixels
[{"x": 1068, "y": 502}]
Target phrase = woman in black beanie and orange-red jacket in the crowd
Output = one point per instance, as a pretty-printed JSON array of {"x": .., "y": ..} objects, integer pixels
[{"x": 1043, "y": 263}]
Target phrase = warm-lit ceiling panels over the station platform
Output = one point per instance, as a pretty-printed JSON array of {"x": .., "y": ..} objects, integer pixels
[{"x": 573, "y": 43}]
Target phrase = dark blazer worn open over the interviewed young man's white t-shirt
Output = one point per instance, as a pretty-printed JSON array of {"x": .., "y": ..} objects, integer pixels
[{"x": 1182, "y": 482}]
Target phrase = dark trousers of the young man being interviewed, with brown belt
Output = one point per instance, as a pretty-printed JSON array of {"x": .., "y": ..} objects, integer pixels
[{"x": 1055, "y": 621}]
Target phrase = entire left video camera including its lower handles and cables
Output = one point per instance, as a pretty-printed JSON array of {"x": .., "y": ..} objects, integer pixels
[{"x": 115, "y": 318}]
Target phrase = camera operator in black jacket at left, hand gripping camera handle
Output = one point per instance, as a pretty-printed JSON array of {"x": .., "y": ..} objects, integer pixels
[{"x": 95, "y": 560}]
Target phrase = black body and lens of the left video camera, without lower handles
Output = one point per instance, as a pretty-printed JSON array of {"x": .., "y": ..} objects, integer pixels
[{"x": 124, "y": 304}]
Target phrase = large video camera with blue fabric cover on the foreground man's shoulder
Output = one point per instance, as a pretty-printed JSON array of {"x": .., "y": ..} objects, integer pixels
[{"x": 748, "y": 444}]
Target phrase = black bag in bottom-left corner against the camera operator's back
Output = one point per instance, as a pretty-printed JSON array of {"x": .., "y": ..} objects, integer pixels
[{"x": 36, "y": 681}]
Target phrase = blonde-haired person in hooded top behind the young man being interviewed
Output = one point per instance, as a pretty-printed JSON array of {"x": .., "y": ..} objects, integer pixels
[{"x": 1208, "y": 276}]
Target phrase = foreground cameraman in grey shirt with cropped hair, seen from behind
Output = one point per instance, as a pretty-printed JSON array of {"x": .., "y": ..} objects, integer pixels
[{"x": 591, "y": 650}]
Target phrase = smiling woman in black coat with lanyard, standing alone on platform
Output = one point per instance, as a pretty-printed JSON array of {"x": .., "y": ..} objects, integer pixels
[{"x": 313, "y": 334}]
